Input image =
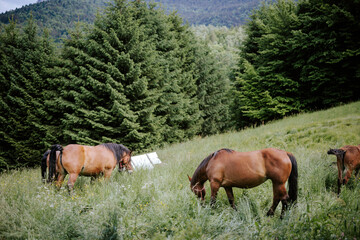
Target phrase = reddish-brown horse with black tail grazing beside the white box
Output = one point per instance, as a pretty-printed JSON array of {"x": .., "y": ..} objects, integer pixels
[{"x": 83, "y": 160}]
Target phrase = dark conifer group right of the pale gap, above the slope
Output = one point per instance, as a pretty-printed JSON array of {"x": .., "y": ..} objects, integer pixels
[{"x": 298, "y": 56}]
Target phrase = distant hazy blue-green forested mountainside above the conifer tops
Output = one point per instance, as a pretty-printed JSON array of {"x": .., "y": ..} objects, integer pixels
[{"x": 59, "y": 16}]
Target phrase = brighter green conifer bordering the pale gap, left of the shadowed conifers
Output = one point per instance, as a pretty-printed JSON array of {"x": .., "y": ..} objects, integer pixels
[{"x": 265, "y": 87}]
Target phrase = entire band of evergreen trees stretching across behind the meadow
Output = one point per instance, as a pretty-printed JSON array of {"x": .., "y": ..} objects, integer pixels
[{"x": 141, "y": 77}]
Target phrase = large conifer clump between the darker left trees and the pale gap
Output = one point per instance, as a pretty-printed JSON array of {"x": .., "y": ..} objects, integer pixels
[{"x": 131, "y": 79}]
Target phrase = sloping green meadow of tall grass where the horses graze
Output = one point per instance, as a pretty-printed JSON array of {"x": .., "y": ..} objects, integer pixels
[{"x": 157, "y": 204}]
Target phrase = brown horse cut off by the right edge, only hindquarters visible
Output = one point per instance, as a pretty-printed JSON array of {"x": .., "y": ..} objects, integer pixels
[{"x": 348, "y": 160}]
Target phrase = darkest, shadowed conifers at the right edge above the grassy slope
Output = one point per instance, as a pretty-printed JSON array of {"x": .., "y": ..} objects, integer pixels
[{"x": 327, "y": 52}]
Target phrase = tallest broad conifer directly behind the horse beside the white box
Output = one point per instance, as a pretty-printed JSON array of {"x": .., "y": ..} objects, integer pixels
[{"x": 112, "y": 91}]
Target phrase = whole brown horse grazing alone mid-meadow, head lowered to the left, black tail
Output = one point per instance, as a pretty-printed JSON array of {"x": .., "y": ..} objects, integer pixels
[{"x": 227, "y": 168}]
